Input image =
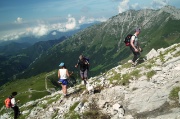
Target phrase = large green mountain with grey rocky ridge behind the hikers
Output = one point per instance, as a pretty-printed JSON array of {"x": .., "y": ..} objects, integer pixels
[{"x": 103, "y": 43}]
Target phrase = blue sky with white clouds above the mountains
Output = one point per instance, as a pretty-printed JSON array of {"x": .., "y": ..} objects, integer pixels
[{"x": 20, "y": 18}]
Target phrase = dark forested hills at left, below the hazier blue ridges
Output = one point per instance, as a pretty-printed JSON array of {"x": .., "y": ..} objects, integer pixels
[{"x": 16, "y": 59}]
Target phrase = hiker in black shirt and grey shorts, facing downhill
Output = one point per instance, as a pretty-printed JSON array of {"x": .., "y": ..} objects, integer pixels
[{"x": 84, "y": 67}]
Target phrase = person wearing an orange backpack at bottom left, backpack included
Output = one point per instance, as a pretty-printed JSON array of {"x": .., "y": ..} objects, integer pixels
[{"x": 10, "y": 102}]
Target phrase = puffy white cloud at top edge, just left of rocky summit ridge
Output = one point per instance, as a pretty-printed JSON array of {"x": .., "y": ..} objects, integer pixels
[{"x": 123, "y": 6}]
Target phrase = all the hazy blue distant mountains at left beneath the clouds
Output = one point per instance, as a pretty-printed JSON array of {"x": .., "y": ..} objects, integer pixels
[{"x": 17, "y": 55}]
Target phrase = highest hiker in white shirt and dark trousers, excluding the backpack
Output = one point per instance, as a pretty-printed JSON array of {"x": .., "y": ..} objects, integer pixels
[{"x": 134, "y": 46}]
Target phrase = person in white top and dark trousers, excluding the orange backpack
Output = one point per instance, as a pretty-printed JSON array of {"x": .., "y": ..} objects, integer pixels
[{"x": 14, "y": 105}]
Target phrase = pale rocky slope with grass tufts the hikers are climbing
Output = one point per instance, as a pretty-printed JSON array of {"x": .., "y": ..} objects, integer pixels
[{"x": 145, "y": 93}]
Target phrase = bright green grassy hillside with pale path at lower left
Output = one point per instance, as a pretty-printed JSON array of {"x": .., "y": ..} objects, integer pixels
[{"x": 23, "y": 87}]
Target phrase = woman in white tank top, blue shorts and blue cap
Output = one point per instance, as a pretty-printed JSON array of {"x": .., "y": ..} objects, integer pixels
[{"x": 63, "y": 74}]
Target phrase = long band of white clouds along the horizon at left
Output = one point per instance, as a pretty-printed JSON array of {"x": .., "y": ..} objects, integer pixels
[{"x": 41, "y": 28}]
